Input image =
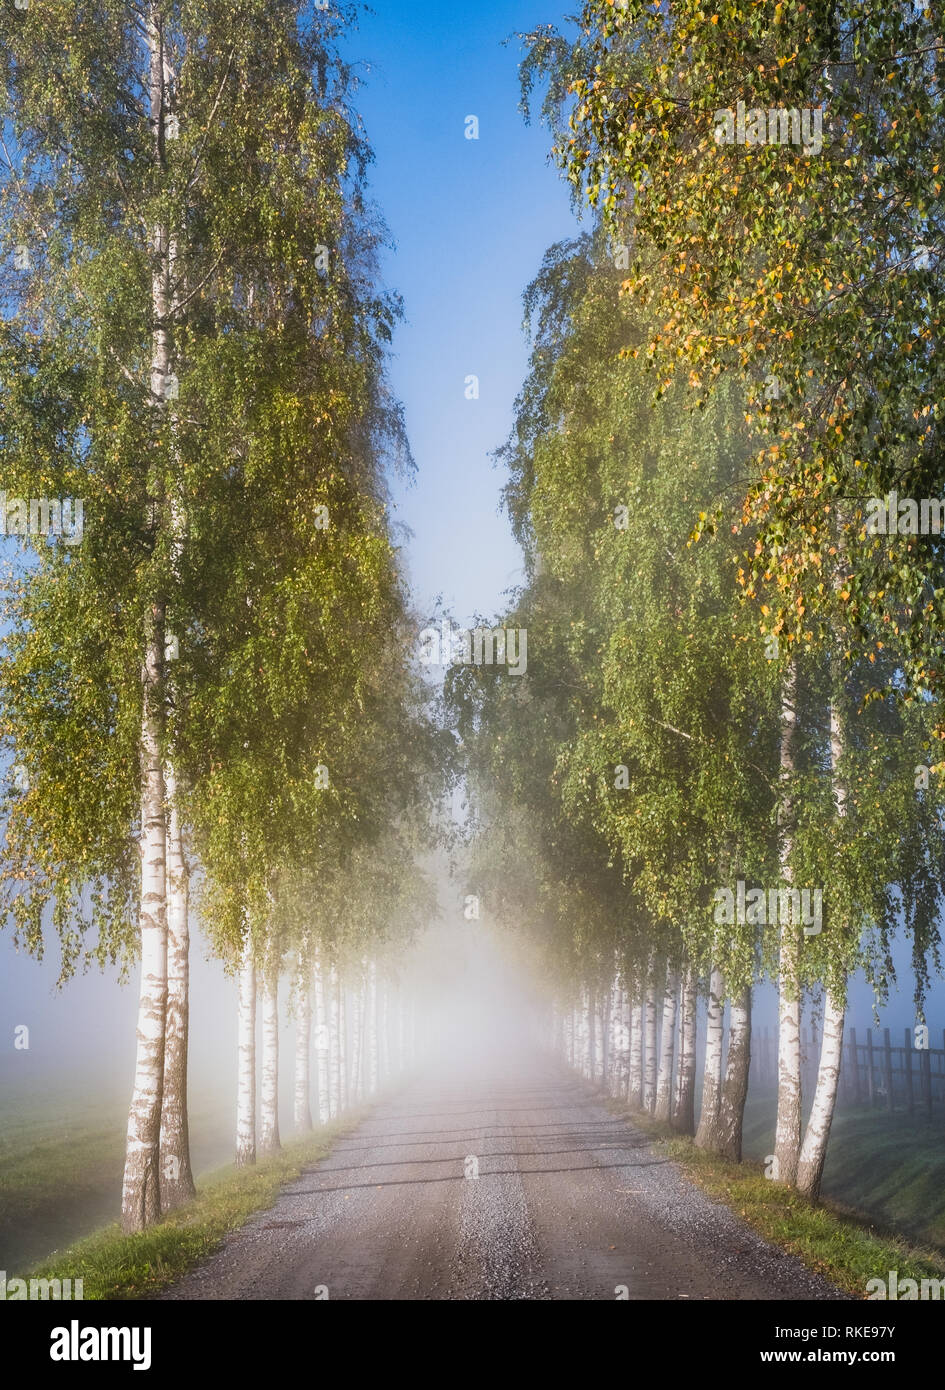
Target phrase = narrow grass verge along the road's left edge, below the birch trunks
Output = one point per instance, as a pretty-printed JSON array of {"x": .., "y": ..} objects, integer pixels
[{"x": 138, "y": 1267}]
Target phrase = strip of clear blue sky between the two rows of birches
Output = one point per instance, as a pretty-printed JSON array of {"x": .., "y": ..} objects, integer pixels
[{"x": 472, "y": 222}]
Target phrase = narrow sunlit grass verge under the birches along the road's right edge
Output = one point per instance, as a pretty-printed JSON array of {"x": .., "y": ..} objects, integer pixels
[{"x": 841, "y": 1246}]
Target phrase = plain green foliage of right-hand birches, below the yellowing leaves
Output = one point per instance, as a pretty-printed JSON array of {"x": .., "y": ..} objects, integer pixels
[{"x": 636, "y": 769}]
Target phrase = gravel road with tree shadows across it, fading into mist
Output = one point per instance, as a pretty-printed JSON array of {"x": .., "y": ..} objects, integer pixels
[{"x": 572, "y": 1203}]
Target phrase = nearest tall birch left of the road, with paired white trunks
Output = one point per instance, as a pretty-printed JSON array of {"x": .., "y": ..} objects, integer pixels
[{"x": 187, "y": 357}]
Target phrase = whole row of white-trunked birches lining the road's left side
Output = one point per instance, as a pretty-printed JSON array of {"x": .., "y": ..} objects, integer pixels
[{"x": 206, "y": 687}]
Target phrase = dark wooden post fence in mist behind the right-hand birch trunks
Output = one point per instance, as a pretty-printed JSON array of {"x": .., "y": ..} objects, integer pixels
[{"x": 875, "y": 1071}]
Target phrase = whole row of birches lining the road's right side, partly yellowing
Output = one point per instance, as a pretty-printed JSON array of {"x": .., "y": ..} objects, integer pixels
[{"x": 734, "y": 682}]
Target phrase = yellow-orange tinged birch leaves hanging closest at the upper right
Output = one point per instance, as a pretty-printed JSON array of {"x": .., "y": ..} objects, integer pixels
[{"x": 819, "y": 268}]
